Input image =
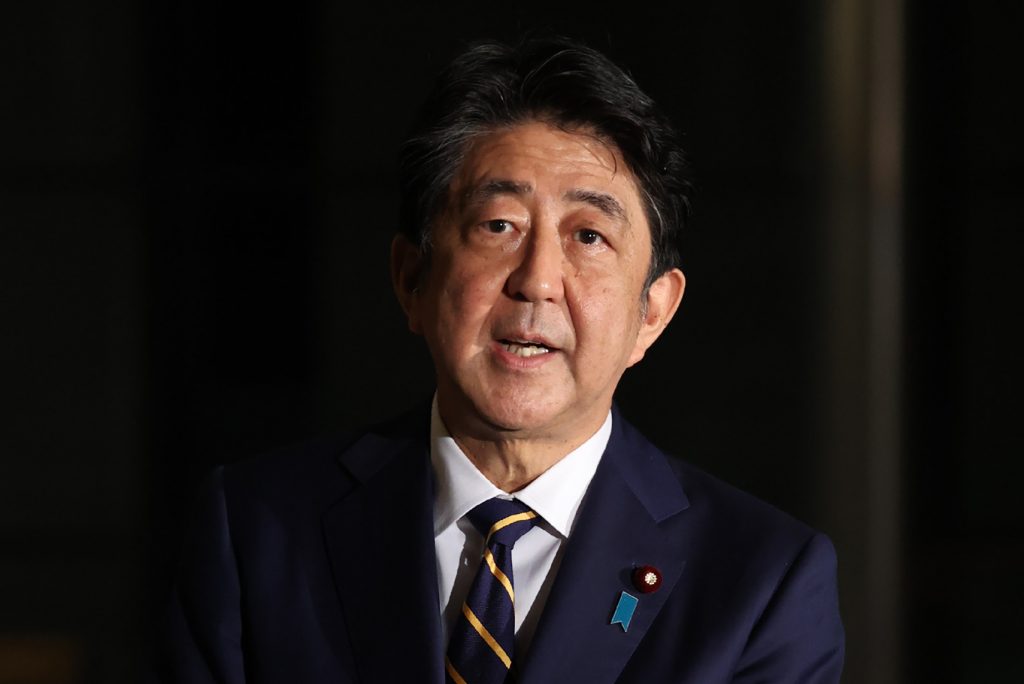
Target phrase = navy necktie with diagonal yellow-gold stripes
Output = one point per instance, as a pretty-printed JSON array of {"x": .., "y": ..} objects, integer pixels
[{"x": 481, "y": 648}]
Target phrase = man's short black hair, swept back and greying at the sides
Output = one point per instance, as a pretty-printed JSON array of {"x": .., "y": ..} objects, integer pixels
[{"x": 567, "y": 84}]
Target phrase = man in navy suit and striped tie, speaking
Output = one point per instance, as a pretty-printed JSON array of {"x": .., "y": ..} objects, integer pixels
[{"x": 520, "y": 530}]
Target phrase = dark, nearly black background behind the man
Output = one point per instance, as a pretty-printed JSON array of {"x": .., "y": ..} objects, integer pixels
[{"x": 196, "y": 205}]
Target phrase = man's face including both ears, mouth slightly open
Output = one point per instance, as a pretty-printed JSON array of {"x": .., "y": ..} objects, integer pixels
[{"x": 533, "y": 304}]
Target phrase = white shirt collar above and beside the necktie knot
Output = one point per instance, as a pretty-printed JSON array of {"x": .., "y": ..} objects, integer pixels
[{"x": 556, "y": 496}]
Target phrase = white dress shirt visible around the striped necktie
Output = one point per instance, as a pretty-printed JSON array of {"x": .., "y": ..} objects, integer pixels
[{"x": 556, "y": 496}]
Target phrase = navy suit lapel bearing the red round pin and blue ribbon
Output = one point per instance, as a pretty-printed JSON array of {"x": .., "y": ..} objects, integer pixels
[{"x": 630, "y": 519}]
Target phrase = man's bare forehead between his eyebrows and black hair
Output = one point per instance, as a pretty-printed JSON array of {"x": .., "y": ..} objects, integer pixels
[{"x": 543, "y": 158}]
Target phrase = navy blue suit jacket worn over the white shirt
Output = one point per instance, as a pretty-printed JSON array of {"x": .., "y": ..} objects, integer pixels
[{"x": 318, "y": 565}]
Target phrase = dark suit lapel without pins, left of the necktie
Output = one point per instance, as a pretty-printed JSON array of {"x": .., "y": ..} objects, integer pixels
[{"x": 381, "y": 545}]
